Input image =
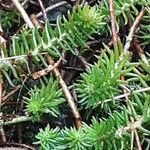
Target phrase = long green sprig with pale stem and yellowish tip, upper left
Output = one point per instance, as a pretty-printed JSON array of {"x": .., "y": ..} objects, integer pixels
[{"x": 69, "y": 34}]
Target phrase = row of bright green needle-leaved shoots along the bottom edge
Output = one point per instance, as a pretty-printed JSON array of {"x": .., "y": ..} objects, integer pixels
[{"x": 99, "y": 135}]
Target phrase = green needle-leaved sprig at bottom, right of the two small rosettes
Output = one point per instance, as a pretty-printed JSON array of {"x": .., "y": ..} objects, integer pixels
[{"x": 104, "y": 133}]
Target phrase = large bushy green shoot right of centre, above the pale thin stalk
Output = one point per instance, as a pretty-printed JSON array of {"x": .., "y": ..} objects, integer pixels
[{"x": 103, "y": 79}]
